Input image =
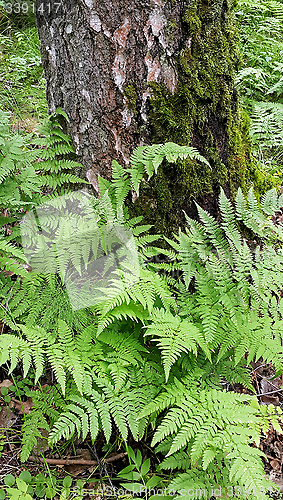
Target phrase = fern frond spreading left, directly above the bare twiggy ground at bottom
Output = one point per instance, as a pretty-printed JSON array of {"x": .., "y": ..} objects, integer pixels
[{"x": 111, "y": 398}]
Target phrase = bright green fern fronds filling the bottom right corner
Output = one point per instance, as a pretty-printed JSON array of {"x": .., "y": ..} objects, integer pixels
[{"x": 208, "y": 429}]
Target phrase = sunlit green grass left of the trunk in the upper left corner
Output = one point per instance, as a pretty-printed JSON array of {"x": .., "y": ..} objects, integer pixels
[{"x": 22, "y": 81}]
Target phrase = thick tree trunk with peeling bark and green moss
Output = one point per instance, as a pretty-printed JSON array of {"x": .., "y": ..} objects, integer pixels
[{"x": 132, "y": 72}]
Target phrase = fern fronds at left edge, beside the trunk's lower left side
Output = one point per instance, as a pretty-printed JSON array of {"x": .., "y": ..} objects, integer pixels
[{"x": 31, "y": 170}]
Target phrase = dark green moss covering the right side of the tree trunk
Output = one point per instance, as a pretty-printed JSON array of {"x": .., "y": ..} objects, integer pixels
[{"x": 204, "y": 113}]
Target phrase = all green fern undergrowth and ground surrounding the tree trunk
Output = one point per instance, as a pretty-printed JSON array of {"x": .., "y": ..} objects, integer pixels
[{"x": 128, "y": 369}]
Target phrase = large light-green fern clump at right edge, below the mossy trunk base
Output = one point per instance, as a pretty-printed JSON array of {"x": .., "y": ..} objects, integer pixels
[{"x": 236, "y": 305}]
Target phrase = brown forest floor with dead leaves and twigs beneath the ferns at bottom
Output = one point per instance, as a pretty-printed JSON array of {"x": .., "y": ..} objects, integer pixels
[{"x": 79, "y": 458}]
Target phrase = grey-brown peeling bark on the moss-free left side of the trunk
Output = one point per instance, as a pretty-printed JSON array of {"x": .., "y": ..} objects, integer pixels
[{"x": 91, "y": 51}]
